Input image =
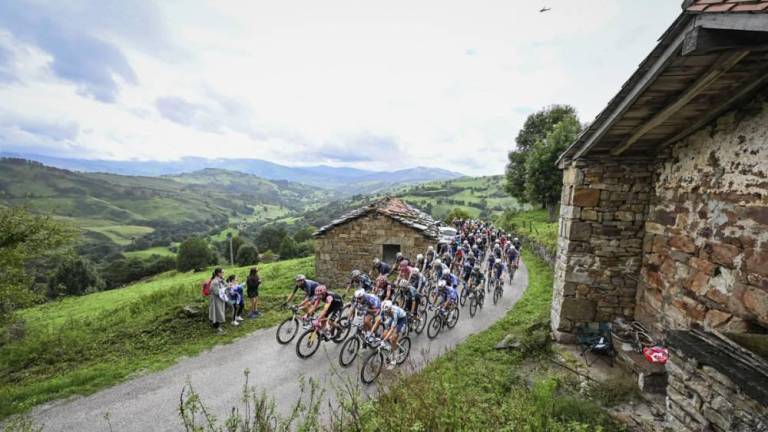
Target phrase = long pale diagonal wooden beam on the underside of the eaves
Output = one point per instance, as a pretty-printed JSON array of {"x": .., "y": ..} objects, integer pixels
[{"x": 722, "y": 65}]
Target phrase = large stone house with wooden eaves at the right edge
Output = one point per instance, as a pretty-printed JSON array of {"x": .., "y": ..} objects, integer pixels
[{"x": 664, "y": 215}]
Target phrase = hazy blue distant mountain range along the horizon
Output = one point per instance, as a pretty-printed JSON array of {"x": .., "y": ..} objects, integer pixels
[{"x": 347, "y": 181}]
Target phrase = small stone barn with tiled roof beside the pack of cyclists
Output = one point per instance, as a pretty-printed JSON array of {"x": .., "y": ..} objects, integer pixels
[{"x": 378, "y": 230}]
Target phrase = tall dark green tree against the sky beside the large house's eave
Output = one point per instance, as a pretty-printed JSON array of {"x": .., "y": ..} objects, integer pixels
[{"x": 535, "y": 130}]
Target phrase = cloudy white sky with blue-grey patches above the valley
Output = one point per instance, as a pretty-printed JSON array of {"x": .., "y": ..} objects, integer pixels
[{"x": 368, "y": 84}]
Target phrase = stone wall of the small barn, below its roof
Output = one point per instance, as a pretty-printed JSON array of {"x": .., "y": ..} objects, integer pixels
[{"x": 355, "y": 244}]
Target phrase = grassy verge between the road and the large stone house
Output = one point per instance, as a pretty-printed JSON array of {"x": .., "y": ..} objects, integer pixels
[{"x": 476, "y": 387}]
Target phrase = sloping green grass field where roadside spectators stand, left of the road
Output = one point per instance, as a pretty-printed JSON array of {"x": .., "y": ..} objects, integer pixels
[{"x": 81, "y": 344}]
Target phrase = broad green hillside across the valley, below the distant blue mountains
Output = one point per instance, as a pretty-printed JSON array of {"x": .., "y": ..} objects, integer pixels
[{"x": 116, "y": 210}]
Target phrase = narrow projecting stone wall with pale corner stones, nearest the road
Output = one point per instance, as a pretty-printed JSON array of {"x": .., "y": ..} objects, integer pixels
[{"x": 603, "y": 209}]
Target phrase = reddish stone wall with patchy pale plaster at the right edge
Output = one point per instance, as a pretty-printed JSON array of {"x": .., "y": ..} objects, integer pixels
[{"x": 706, "y": 242}]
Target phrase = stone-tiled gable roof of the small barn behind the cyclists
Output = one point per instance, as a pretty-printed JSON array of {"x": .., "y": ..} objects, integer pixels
[{"x": 394, "y": 208}]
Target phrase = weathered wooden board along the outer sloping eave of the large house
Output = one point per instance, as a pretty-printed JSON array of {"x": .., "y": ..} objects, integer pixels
[{"x": 649, "y": 77}]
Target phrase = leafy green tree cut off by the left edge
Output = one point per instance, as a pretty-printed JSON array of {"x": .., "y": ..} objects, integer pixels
[{"x": 25, "y": 237}]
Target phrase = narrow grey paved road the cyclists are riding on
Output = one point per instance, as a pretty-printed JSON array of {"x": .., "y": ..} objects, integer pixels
[{"x": 149, "y": 403}]
